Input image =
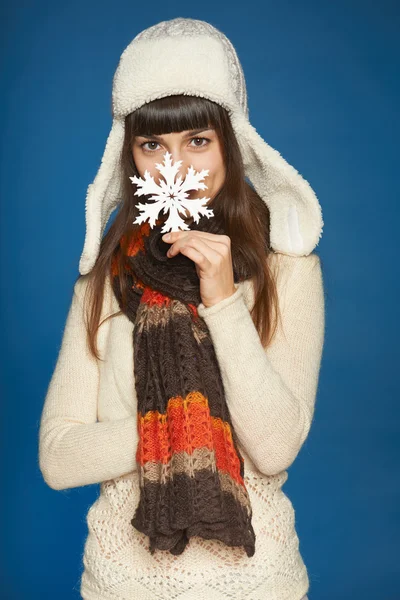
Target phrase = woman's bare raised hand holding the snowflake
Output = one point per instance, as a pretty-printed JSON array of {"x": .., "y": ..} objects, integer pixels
[{"x": 211, "y": 254}]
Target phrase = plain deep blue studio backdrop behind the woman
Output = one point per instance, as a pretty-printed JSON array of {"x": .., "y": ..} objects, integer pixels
[{"x": 323, "y": 83}]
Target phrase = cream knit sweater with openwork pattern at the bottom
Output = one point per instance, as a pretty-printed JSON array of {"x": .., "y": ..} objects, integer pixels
[{"x": 88, "y": 435}]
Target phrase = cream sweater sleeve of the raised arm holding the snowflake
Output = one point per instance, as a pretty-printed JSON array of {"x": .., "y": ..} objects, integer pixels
[{"x": 271, "y": 392}]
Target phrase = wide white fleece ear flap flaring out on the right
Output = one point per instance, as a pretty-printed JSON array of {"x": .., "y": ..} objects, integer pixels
[{"x": 296, "y": 217}]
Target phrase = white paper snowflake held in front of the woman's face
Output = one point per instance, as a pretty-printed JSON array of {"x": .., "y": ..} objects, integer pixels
[{"x": 170, "y": 195}]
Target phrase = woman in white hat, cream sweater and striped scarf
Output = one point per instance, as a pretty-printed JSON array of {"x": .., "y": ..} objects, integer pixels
[{"x": 187, "y": 377}]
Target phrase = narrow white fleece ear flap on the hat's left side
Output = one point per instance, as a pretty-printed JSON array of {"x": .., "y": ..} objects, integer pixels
[{"x": 103, "y": 195}]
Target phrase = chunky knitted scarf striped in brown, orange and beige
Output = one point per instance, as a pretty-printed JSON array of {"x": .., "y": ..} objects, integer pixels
[{"x": 190, "y": 468}]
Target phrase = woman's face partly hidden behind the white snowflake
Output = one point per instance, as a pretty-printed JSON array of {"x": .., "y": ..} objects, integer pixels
[{"x": 200, "y": 149}]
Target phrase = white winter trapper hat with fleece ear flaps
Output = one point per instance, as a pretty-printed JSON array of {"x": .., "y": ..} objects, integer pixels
[{"x": 192, "y": 57}]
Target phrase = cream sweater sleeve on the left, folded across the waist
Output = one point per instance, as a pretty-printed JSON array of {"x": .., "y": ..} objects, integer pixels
[{"x": 75, "y": 449}]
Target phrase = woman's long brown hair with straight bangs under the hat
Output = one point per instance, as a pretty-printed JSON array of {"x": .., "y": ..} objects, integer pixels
[{"x": 244, "y": 215}]
